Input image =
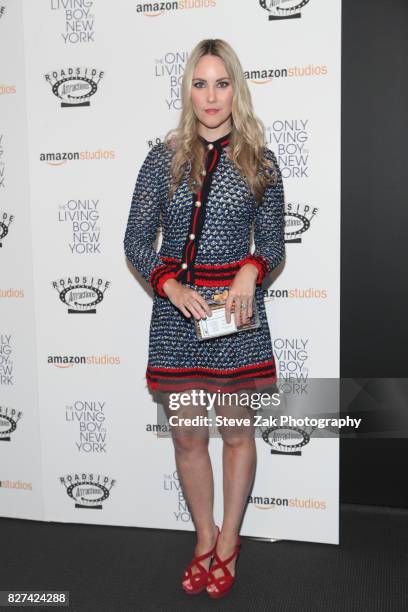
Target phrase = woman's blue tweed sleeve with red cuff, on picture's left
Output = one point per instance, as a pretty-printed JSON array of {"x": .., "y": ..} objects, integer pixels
[{"x": 143, "y": 222}]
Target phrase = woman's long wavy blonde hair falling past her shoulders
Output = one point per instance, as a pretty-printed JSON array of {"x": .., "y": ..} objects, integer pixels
[{"x": 246, "y": 144}]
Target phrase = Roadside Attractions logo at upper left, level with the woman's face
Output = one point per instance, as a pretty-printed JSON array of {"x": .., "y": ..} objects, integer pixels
[{"x": 74, "y": 86}]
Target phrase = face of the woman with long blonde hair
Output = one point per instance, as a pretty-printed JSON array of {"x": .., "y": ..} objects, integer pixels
[{"x": 211, "y": 92}]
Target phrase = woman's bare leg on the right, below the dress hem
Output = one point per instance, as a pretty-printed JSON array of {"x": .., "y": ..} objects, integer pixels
[{"x": 239, "y": 467}]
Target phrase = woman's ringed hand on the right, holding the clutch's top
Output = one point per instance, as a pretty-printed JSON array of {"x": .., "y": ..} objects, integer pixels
[{"x": 241, "y": 294}]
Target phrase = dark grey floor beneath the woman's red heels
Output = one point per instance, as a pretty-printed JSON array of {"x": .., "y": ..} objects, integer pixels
[{"x": 129, "y": 569}]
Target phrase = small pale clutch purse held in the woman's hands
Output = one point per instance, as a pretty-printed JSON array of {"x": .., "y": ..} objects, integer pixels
[{"x": 217, "y": 325}]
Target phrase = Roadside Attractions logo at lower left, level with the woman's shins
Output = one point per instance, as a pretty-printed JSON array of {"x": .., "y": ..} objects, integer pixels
[{"x": 88, "y": 490}]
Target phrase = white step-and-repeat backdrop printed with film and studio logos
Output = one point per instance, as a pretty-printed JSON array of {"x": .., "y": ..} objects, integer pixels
[{"x": 86, "y": 88}]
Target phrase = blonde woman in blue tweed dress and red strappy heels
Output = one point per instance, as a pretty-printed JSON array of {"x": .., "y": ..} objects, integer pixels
[{"x": 211, "y": 181}]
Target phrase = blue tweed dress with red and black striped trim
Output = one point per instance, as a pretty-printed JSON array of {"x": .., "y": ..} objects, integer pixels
[{"x": 205, "y": 241}]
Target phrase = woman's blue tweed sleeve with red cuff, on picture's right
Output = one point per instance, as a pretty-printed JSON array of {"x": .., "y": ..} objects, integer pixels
[{"x": 269, "y": 227}]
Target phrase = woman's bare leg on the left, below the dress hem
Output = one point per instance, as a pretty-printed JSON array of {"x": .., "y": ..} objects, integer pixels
[{"x": 196, "y": 476}]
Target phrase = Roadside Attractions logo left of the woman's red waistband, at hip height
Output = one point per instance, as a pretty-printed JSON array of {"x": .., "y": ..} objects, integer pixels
[{"x": 81, "y": 293}]
